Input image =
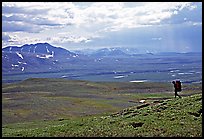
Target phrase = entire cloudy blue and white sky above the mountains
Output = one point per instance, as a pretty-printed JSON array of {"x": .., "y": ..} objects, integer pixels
[{"x": 149, "y": 26}]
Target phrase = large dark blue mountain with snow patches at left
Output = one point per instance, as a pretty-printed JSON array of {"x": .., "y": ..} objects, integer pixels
[{"x": 35, "y": 57}]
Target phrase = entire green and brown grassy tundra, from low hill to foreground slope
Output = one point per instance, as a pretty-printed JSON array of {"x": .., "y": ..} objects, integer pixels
[{"x": 169, "y": 117}]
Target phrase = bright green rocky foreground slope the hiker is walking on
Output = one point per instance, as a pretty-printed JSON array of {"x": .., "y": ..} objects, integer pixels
[{"x": 165, "y": 118}]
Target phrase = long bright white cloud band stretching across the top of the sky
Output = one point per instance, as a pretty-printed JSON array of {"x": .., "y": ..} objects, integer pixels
[{"x": 115, "y": 15}]
